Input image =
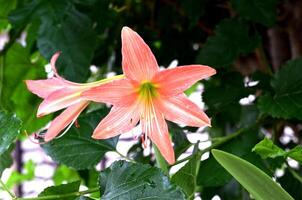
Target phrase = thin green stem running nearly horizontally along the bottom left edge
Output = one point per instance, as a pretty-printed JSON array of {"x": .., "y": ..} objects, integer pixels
[{"x": 61, "y": 196}]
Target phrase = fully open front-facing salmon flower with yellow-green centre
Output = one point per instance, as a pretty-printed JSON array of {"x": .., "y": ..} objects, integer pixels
[{"x": 149, "y": 96}]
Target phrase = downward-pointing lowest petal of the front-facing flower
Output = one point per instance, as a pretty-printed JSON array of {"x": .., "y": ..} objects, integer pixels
[{"x": 157, "y": 131}]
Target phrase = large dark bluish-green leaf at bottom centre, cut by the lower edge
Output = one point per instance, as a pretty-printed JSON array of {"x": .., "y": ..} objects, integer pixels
[{"x": 124, "y": 180}]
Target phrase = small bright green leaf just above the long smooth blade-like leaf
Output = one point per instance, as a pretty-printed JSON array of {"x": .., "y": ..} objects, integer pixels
[{"x": 267, "y": 149}]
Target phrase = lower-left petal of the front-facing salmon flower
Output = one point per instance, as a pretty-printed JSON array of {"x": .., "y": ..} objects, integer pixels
[{"x": 118, "y": 121}]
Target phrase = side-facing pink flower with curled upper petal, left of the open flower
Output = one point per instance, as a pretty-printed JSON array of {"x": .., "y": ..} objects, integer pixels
[{"x": 59, "y": 93}]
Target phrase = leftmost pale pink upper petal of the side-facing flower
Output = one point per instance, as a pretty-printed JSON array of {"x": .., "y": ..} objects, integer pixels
[{"x": 44, "y": 88}]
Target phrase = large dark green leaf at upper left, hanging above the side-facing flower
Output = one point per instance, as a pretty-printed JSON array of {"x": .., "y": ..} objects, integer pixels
[{"x": 63, "y": 28}]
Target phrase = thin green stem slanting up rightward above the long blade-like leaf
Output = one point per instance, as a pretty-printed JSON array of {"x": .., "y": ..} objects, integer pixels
[{"x": 219, "y": 142}]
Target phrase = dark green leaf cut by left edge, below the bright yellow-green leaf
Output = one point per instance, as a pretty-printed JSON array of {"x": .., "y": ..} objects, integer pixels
[{"x": 9, "y": 130}]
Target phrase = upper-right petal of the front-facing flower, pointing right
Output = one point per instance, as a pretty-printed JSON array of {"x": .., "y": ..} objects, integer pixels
[{"x": 176, "y": 80}]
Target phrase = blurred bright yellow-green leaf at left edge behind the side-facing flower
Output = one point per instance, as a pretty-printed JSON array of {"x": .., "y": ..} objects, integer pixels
[{"x": 15, "y": 97}]
